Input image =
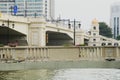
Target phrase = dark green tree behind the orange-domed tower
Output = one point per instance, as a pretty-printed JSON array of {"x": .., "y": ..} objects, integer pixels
[{"x": 105, "y": 30}]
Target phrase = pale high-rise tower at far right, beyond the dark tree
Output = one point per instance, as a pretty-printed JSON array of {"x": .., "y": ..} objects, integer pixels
[{"x": 115, "y": 19}]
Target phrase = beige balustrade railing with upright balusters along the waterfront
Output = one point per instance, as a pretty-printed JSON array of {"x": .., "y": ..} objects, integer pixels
[{"x": 18, "y": 54}]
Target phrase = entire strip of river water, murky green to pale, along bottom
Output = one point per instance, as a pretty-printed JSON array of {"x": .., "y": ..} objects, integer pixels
[{"x": 62, "y": 74}]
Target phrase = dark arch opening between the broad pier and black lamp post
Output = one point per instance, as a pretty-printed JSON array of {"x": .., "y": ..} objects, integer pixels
[{"x": 57, "y": 39}]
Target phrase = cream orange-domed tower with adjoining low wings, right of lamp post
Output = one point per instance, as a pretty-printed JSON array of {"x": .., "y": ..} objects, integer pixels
[{"x": 93, "y": 38}]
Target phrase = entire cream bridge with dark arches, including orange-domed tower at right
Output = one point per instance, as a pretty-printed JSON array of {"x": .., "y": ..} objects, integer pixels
[{"x": 21, "y": 31}]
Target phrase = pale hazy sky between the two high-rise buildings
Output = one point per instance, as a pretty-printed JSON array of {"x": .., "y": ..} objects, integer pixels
[{"x": 84, "y": 10}]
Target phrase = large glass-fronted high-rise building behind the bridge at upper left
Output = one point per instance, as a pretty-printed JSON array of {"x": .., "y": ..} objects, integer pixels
[{"x": 29, "y": 8}]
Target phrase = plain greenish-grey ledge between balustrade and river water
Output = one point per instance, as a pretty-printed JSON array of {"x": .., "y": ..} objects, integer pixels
[{"x": 58, "y": 65}]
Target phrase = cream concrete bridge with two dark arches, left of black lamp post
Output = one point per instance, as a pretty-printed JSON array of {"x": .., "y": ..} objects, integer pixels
[{"x": 33, "y": 31}]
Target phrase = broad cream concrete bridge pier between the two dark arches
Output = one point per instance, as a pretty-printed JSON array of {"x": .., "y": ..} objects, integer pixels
[{"x": 37, "y": 34}]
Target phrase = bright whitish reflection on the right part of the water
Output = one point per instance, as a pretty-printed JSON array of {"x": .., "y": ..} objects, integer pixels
[{"x": 88, "y": 74}]
